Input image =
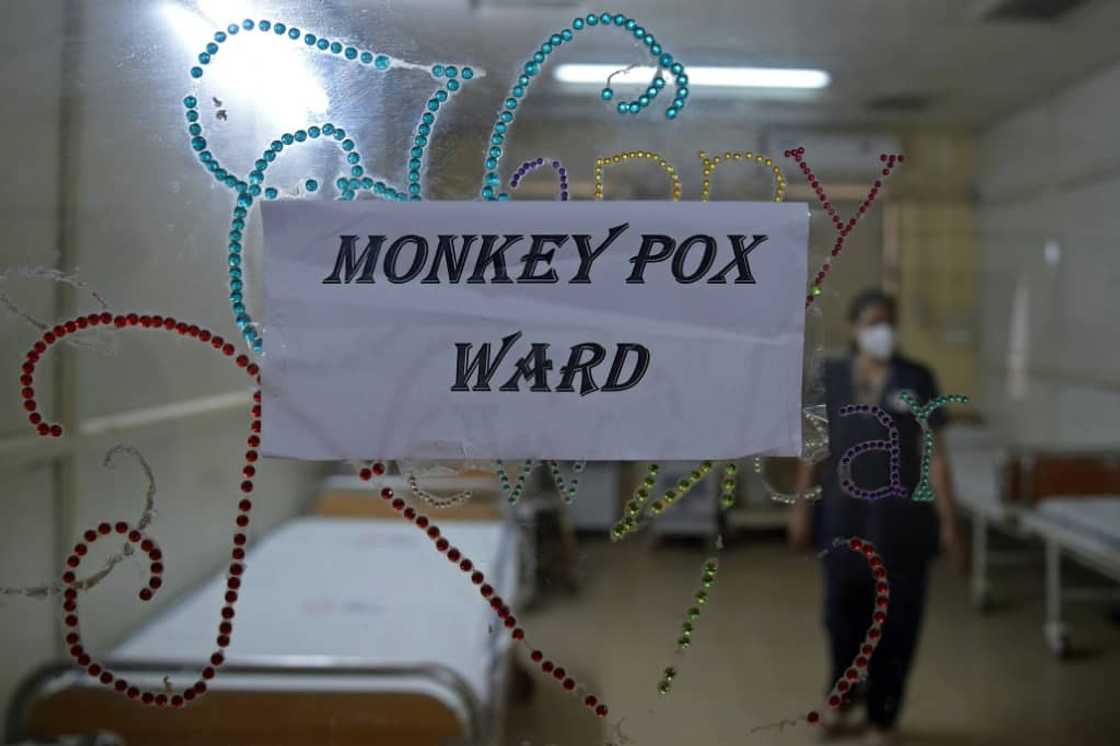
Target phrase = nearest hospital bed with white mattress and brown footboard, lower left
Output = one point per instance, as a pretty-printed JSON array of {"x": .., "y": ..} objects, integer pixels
[{"x": 349, "y": 632}]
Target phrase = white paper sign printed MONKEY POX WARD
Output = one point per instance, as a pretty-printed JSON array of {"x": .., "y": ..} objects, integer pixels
[{"x": 517, "y": 330}]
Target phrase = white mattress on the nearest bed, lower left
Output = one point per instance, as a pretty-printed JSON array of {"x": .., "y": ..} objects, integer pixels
[{"x": 359, "y": 593}]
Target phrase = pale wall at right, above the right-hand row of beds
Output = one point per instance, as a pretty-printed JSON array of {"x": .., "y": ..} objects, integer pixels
[{"x": 1049, "y": 185}]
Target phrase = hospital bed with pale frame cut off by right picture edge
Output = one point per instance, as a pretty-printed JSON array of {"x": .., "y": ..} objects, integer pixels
[{"x": 1088, "y": 529}]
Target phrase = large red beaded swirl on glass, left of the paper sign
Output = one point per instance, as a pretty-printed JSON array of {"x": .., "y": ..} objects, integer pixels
[{"x": 137, "y": 538}]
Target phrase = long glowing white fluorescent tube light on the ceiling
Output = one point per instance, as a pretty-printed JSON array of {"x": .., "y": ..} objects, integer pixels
[{"x": 740, "y": 78}]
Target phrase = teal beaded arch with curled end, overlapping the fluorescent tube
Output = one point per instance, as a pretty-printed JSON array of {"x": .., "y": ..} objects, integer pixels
[{"x": 534, "y": 67}]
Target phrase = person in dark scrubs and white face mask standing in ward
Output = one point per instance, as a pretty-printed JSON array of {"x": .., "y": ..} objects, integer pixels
[{"x": 907, "y": 534}]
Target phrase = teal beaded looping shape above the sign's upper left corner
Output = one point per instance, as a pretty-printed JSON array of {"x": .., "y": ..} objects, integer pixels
[{"x": 356, "y": 181}]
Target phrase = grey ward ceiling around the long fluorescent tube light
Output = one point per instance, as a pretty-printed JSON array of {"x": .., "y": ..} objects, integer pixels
[{"x": 967, "y": 69}]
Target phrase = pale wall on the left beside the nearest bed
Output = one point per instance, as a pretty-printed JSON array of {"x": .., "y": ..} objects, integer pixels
[{"x": 150, "y": 237}]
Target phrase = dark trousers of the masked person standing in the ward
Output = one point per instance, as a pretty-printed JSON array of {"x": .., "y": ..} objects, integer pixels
[{"x": 850, "y": 595}]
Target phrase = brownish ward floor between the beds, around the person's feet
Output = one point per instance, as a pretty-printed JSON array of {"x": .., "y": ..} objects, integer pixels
[{"x": 759, "y": 657}]
